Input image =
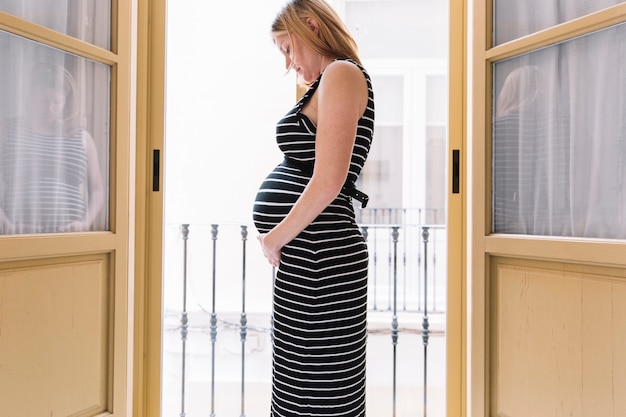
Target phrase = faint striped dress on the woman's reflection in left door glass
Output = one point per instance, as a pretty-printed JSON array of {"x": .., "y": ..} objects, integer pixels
[{"x": 43, "y": 179}]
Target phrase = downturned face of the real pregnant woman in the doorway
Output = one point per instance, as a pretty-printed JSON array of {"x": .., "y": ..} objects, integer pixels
[{"x": 304, "y": 61}]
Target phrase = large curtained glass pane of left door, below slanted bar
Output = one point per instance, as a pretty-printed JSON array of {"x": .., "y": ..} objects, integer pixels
[{"x": 54, "y": 140}]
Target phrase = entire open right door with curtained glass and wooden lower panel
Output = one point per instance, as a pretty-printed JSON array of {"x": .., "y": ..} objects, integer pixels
[{"x": 547, "y": 234}]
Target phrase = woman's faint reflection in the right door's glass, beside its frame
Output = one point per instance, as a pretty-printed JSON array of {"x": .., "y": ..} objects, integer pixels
[{"x": 531, "y": 155}]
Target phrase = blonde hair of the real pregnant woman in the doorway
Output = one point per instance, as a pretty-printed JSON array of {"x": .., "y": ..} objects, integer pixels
[{"x": 333, "y": 40}]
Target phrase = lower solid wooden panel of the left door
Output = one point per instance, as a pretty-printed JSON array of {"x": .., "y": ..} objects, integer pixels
[{"x": 55, "y": 336}]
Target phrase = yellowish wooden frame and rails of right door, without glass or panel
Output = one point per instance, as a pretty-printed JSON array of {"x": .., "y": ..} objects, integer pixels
[{"x": 483, "y": 246}]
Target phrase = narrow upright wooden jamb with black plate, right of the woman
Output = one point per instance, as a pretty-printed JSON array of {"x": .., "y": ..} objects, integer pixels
[{"x": 456, "y": 333}]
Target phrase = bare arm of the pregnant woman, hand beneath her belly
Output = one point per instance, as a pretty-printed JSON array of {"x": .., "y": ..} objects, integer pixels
[{"x": 341, "y": 101}]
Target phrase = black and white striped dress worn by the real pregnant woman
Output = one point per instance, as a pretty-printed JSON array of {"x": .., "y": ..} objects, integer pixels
[{"x": 320, "y": 291}]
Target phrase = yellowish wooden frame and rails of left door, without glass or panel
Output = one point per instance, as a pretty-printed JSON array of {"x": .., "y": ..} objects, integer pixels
[{"x": 115, "y": 243}]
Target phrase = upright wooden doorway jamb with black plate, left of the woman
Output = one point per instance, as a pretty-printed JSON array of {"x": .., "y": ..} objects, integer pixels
[{"x": 150, "y": 130}]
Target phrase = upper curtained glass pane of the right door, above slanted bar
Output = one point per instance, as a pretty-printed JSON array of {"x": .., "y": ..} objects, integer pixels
[{"x": 513, "y": 19}]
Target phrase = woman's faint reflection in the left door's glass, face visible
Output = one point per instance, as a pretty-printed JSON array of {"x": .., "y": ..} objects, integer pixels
[{"x": 49, "y": 172}]
